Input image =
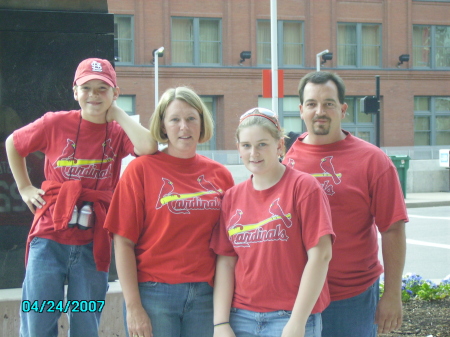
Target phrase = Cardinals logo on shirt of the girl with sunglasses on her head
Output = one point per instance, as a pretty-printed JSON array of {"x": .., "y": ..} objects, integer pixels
[{"x": 243, "y": 235}]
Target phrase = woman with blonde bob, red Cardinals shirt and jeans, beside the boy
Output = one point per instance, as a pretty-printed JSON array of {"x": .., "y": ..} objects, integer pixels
[{"x": 162, "y": 215}]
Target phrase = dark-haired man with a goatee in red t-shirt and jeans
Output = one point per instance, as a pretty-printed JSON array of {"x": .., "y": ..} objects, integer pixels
[{"x": 365, "y": 196}]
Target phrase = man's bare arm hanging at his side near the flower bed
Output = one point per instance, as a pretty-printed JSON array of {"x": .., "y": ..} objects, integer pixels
[{"x": 389, "y": 311}]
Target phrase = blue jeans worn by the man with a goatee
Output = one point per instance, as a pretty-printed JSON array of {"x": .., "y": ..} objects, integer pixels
[{"x": 354, "y": 316}]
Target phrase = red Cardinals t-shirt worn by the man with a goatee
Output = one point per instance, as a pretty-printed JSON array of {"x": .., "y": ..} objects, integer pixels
[{"x": 364, "y": 192}]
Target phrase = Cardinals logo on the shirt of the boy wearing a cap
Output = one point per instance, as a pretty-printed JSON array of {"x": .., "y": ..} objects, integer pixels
[{"x": 77, "y": 168}]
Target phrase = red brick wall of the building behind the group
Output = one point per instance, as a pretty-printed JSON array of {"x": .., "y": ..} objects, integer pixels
[{"x": 239, "y": 87}]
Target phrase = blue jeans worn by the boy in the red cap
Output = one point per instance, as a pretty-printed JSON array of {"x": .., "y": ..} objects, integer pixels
[{"x": 49, "y": 265}]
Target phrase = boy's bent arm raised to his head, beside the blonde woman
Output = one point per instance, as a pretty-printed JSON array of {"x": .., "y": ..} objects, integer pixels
[{"x": 139, "y": 136}]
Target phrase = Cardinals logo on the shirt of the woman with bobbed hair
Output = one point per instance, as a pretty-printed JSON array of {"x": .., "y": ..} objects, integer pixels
[{"x": 207, "y": 197}]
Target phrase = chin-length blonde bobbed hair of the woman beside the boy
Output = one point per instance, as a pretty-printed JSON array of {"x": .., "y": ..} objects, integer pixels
[{"x": 190, "y": 97}]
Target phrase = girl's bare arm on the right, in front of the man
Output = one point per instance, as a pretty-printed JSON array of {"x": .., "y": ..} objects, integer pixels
[{"x": 311, "y": 285}]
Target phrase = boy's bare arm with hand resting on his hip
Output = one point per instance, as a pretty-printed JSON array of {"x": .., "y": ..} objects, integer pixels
[{"x": 30, "y": 194}]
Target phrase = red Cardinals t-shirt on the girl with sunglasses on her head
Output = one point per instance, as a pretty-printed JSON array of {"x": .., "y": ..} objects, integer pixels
[{"x": 270, "y": 231}]
